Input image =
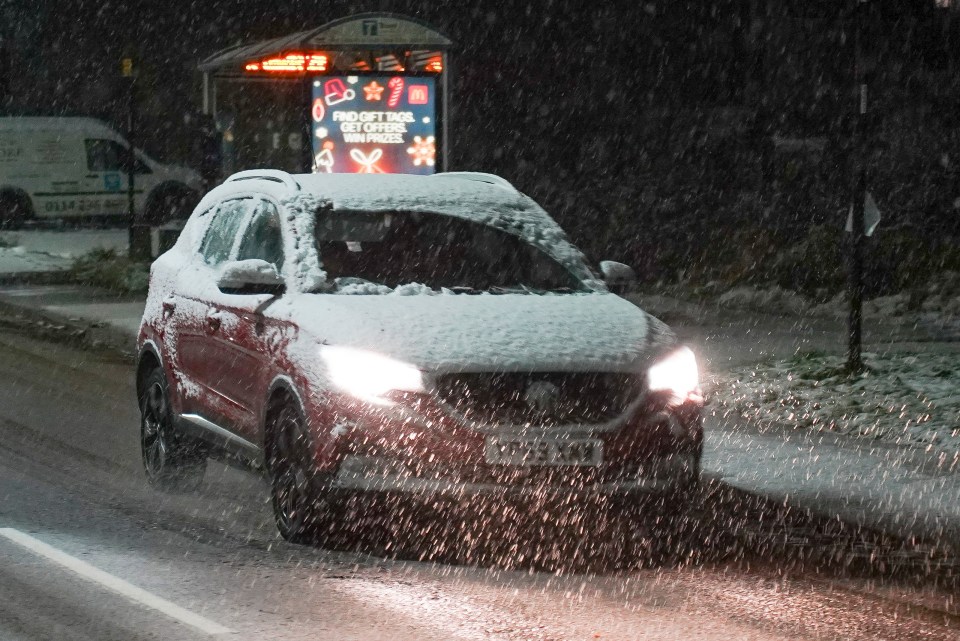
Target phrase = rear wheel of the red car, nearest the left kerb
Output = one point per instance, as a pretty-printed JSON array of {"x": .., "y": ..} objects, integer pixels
[{"x": 171, "y": 461}]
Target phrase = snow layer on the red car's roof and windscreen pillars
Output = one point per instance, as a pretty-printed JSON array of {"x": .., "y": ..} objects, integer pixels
[{"x": 482, "y": 202}]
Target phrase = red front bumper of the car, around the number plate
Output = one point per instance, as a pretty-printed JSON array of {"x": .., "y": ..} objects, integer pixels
[{"x": 655, "y": 450}]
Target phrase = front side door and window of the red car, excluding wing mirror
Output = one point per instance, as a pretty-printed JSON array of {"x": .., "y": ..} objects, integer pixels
[{"x": 246, "y": 339}]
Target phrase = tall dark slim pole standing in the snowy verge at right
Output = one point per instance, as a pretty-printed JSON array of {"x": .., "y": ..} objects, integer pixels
[{"x": 855, "y": 325}]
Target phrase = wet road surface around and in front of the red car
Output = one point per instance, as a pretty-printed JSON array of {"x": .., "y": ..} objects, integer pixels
[{"x": 741, "y": 568}]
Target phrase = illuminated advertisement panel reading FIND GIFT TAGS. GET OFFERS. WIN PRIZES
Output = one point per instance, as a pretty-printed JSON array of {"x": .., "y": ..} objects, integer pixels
[{"x": 374, "y": 124}]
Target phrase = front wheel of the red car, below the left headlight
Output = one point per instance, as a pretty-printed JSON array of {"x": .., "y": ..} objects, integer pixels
[{"x": 303, "y": 502}]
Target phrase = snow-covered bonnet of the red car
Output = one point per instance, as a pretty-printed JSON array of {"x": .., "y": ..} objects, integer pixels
[{"x": 459, "y": 332}]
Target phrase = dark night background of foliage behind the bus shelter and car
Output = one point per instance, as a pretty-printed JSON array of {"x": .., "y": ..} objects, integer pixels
[{"x": 695, "y": 139}]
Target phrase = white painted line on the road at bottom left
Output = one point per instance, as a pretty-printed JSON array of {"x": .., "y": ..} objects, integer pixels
[{"x": 113, "y": 583}]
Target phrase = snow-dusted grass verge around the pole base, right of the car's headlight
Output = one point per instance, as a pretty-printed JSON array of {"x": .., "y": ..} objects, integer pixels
[{"x": 905, "y": 399}]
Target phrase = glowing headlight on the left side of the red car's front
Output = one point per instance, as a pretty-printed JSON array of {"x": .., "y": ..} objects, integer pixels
[{"x": 368, "y": 375}]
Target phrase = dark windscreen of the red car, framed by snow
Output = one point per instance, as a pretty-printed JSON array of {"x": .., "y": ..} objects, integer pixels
[{"x": 438, "y": 251}]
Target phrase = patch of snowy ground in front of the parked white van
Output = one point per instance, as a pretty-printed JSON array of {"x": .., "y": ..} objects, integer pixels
[{"x": 38, "y": 250}]
